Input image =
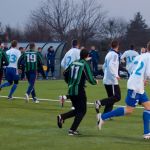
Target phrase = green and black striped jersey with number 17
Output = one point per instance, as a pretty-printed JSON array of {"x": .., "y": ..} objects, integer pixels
[{"x": 78, "y": 72}]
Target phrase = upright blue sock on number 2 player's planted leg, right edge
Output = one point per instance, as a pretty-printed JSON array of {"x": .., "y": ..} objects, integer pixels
[{"x": 146, "y": 121}]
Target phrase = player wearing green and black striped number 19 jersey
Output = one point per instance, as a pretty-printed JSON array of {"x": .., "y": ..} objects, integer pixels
[{"x": 32, "y": 60}]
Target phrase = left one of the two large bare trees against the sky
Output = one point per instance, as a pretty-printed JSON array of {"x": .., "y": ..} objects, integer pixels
[{"x": 57, "y": 14}]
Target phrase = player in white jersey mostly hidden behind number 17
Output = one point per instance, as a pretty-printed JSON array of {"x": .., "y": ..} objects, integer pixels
[{"x": 72, "y": 55}]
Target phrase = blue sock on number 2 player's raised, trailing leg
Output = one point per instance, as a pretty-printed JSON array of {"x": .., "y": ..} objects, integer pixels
[{"x": 115, "y": 113}]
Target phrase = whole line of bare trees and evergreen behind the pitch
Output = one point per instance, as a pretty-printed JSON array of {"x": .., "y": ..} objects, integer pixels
[{"x": 85, "y": 20}]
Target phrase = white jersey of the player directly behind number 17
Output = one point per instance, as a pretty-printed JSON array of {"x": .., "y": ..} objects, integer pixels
[{"x": 72, "y": 55}]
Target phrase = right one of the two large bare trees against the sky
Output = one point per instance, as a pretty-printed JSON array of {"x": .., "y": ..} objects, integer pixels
[{"x": 88, "y": 19}]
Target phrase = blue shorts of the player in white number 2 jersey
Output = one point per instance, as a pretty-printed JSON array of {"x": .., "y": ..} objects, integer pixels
[{"x": 132, "y": 98}]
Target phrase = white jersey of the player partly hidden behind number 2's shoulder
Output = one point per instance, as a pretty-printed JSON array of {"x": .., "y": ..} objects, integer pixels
[{"x": 129, "y": 55}]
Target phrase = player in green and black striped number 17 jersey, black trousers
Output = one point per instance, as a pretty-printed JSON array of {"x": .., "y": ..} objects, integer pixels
[{"x": 76, "y": 75}]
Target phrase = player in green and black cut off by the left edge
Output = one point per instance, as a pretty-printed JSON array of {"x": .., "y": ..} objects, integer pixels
[{"x": 3, "y": 61}]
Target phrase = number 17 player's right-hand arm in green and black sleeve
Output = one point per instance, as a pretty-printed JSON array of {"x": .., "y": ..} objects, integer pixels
[{"x": 89, "y": 75}]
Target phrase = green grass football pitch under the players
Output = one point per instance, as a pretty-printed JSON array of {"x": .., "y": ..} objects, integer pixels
[{"x": 29, "y": 126}]
